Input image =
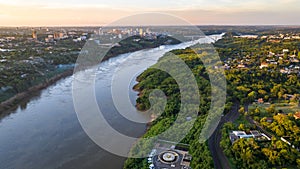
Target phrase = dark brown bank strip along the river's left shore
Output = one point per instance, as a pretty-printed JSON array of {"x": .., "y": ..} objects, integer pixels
[{"x": 15, "y": 100}]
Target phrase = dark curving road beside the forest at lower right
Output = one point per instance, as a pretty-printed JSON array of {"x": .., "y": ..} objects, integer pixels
[{"x": 220, "y": 160}]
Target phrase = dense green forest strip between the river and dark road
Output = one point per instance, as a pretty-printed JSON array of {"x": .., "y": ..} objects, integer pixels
[{"x": 156, "y": 79}]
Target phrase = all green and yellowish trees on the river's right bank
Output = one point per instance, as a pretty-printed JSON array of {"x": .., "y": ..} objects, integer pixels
[{"x": 245, "y": 85}]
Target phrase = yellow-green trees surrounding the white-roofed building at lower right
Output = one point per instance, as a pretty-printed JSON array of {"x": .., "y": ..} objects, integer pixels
[{"x": 250, "y": 153}]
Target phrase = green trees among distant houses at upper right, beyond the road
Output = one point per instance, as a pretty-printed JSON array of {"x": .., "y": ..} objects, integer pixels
[{"x": 252, "y": 82}]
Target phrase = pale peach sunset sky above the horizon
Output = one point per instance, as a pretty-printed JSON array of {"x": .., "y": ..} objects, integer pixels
[{"x": 104, "y": 12}]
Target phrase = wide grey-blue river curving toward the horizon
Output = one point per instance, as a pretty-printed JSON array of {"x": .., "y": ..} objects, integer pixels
[{"x": 44, "y": 131}]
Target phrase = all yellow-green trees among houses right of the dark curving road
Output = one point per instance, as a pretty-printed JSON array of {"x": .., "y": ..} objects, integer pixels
[{"x": 251, "y": 83}]
